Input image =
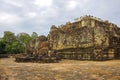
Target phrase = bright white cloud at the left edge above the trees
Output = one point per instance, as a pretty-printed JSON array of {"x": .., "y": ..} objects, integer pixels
[{"x": 9, "y": 19}]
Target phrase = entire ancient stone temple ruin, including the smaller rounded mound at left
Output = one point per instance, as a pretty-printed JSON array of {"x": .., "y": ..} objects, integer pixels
[{"x": 87, "y": 38}]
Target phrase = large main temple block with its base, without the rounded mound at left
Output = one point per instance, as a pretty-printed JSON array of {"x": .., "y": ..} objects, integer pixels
[{"x": 86, "y": 38}]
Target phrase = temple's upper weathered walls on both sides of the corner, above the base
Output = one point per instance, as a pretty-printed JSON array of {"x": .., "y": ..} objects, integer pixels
[{"x": 82, "y": 34}]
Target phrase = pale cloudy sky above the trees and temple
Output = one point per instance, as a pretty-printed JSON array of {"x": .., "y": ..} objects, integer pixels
[{"x": 38, "y": 15}]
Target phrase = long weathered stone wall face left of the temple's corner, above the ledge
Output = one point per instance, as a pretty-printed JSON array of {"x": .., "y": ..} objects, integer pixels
[{"x": 72, "y": 38}]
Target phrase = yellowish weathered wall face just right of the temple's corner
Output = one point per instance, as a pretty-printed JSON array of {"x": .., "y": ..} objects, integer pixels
[{"x": 101, "y": 37}]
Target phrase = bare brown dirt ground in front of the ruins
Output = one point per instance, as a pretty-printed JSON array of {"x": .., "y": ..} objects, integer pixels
[{"x": 64, "y": 70}]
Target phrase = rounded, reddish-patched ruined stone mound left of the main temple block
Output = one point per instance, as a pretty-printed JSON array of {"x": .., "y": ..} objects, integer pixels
[{"x": 37, "y": 46}]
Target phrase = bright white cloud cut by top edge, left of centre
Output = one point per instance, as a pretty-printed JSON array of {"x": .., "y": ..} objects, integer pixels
[{"x": 43, "y": 3}]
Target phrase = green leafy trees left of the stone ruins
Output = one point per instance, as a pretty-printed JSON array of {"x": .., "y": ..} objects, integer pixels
[{"x": 15, "y": 44}]
